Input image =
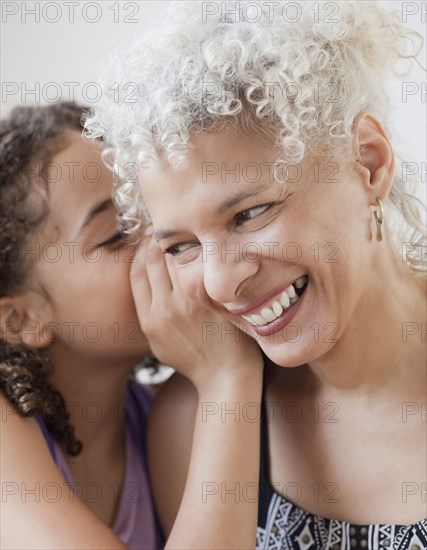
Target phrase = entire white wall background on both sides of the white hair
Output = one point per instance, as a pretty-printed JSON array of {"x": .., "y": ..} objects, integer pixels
[{"x": 47, "y": 55}]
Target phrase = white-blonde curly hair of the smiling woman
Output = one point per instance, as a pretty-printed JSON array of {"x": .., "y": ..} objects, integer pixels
[{"x": 277, "y": 70}]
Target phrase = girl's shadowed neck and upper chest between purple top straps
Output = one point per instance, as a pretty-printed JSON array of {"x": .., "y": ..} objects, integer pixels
[{"x": 95, "y": 395}]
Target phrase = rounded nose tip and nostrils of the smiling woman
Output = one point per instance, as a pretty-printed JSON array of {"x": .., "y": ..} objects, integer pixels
[{"x": 226, "y": 267}]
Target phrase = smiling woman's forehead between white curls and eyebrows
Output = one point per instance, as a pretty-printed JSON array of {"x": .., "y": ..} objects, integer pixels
[{"x": 222, "y": 166}]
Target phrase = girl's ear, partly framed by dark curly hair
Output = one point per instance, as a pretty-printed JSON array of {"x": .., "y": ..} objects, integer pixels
[{"x": 20, "y": 324}]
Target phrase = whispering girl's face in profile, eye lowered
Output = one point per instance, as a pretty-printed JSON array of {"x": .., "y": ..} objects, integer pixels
[{"x": 81, "y": 264}]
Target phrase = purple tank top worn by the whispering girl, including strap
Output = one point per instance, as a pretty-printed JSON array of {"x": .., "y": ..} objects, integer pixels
[{"x": 135, "y": 522}]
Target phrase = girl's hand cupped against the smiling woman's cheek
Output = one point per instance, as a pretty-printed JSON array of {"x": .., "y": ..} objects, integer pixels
[{"x": 196, "y": 341}]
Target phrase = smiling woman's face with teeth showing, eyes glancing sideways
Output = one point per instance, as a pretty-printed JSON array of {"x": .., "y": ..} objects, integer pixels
[{"x": 288, "y": 262}]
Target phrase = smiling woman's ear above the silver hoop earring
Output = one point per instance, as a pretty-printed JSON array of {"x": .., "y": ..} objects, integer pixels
[{"x": 374, "y": 156}]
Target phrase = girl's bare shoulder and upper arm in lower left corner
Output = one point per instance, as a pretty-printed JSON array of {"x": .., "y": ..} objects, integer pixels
[{"x": 32, "y": 483}]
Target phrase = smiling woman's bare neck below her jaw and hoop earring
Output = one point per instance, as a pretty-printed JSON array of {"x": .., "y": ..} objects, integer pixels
[{"x": 383, "y": 345}]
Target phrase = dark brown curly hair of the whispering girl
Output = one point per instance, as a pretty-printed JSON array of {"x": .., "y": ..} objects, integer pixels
[{"x": 29, "y": 138}]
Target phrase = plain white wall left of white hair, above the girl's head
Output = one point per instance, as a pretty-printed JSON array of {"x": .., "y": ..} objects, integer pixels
[{"x": 64, "y": 47}]
